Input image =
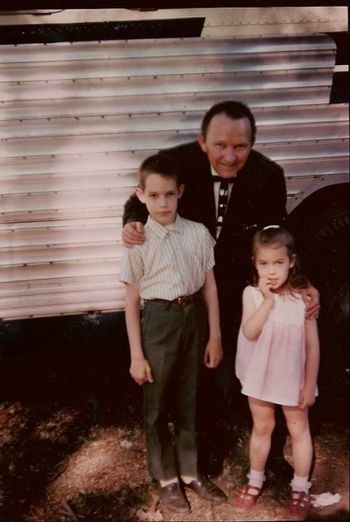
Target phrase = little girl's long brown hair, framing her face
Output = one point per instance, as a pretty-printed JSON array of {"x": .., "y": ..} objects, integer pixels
[{"x": 276, "y": 235}]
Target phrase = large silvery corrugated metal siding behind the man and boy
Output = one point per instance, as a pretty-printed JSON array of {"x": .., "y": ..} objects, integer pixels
[{"x": 77, "y": 119}]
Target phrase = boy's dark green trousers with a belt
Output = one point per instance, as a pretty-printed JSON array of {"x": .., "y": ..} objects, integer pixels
[{"x": 173, "y": 342}]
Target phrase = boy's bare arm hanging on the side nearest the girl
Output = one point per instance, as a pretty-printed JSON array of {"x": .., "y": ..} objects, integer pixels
[{"x": 213, "y": 352}]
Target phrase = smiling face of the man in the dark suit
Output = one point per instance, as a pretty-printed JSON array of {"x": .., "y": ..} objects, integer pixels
[{"x": 227, "y": 144}]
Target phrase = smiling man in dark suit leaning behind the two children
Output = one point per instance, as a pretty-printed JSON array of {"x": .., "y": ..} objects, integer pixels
[{"x": 221, "y": 165}]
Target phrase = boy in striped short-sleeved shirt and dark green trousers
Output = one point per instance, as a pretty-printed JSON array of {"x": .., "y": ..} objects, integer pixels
[{"x": 172, "y": 272}]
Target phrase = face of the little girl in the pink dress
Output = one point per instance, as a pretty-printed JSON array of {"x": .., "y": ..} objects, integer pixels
[{"x": 273, "y": 263}]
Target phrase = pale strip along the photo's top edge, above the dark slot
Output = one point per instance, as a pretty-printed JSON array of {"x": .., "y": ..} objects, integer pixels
[{"x": 218, "y": 21}]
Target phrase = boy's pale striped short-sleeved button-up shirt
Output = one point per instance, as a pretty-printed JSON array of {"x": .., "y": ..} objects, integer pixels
[{"x": 172, "y": 262}]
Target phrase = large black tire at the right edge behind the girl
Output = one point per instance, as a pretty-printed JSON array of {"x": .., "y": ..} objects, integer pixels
[{"x": 326, "y": 261}]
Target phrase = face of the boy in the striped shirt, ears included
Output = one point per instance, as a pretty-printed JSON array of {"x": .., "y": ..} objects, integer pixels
[{"x": 160, "y": 196}]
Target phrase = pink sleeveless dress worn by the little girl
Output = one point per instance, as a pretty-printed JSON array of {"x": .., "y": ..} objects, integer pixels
[{"x": 271, "y": 368}]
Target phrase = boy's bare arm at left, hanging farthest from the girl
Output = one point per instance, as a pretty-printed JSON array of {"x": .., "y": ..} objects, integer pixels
[{"x": 139, "y": 369}]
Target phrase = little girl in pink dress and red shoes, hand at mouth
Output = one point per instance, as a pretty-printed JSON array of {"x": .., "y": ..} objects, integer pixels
[{"x": 277, "y": 363}]
